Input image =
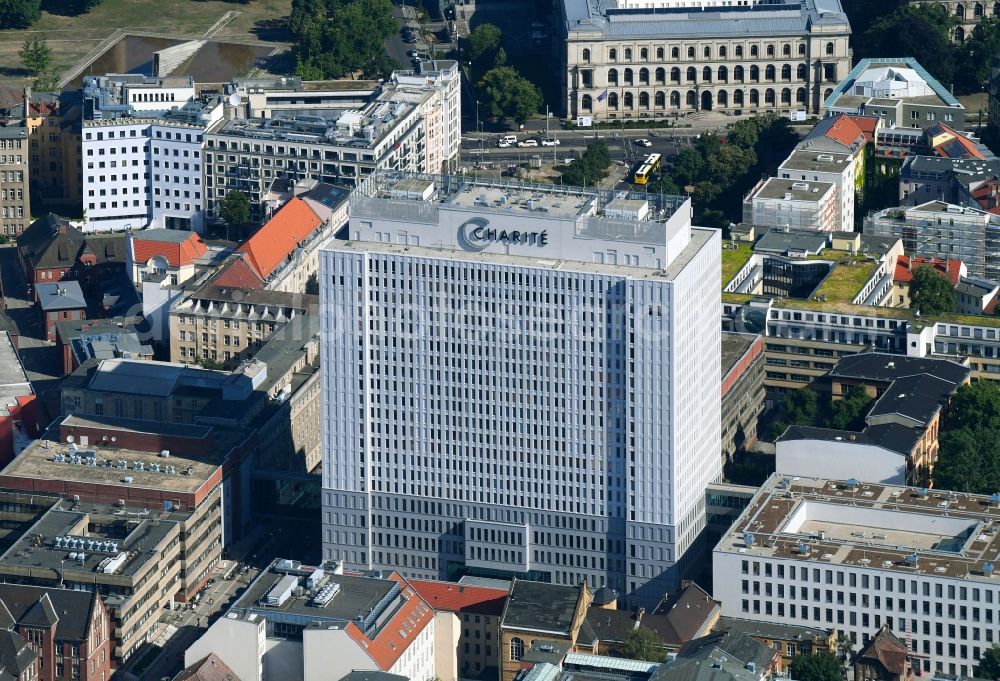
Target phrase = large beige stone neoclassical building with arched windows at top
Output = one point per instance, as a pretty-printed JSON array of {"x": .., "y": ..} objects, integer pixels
[{"x": 637, "y": 59}]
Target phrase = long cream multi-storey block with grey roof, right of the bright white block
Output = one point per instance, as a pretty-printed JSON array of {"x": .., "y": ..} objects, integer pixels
[{"x": 413, "y": 122}]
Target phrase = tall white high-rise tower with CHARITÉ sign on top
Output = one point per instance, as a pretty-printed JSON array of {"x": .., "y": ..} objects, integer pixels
[{"x": 519, "y": 380}]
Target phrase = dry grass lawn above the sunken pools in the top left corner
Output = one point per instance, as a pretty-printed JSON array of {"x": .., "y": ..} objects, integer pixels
[{"x": 72, "y": 37}]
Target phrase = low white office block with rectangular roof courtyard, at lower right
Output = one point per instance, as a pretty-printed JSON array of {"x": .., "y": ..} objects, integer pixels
[{"x": 855, "y": 557}]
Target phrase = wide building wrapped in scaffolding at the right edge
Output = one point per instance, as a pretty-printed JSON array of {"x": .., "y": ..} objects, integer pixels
[{"x": 946, "y": 231}]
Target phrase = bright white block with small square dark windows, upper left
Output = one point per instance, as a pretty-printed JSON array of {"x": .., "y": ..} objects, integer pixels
[{"x": 141, "y": 152}]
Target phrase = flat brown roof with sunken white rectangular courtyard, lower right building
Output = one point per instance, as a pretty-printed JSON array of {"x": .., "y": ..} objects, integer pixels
[{"x": 897, "y": 529}]
